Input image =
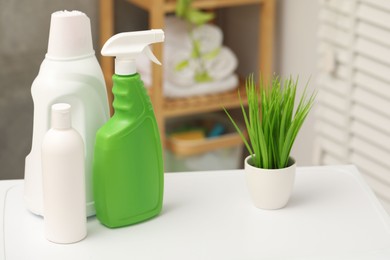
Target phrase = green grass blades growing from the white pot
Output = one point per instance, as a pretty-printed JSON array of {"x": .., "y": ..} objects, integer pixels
[{"x": 271, "y": 123}]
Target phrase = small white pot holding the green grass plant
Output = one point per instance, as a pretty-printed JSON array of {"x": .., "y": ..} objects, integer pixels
[{"x": 270, "y": 188}]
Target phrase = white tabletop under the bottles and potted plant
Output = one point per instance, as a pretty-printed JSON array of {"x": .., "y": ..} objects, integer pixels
[{"x": 208, "y": 215}]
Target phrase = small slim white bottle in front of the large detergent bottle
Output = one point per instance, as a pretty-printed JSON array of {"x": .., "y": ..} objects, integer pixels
[{"x": 64, "y": 201}]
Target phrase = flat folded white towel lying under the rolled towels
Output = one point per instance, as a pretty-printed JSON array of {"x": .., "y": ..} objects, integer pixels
[{"x": 174, "y": 91}]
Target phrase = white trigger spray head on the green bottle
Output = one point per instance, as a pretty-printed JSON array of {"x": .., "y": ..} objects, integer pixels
[{"x": 127, "y": 46}]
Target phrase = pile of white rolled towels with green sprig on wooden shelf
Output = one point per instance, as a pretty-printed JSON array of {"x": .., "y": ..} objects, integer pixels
[{"x": 181, "y": 67}]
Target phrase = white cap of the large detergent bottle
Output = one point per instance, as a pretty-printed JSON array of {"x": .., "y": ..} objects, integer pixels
[{"x": 70, "y": 36}]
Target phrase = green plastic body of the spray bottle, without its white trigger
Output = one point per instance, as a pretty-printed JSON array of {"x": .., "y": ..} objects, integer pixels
[{"x": 128, "y": 175}]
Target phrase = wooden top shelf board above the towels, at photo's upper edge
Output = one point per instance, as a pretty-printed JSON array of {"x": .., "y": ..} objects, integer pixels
[{"x": 170, "y": 5}]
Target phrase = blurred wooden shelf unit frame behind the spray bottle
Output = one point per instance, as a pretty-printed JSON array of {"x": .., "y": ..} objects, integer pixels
[{"x": 167, "y": 107}]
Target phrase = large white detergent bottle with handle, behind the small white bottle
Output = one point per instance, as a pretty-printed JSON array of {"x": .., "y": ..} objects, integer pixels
[{"x": 70, "y": 73}]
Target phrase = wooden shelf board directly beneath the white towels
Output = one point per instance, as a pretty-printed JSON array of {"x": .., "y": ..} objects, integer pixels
[{"x": 203, "y": 104}]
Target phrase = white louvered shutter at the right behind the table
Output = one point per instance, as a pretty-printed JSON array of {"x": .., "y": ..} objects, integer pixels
[{"x": 353, "y": 115}]
